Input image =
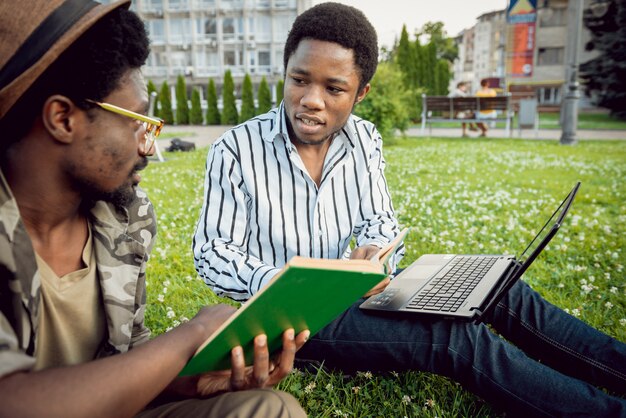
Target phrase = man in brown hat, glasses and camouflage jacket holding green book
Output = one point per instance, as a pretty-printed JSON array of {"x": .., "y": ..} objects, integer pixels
[{"x": 76, "y": 232}]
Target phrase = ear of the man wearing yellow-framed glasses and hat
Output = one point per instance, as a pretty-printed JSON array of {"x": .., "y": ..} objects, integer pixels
[{"x": 61, "y": 118}]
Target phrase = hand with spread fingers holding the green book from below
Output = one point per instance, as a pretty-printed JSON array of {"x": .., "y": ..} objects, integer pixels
[{"x": 265, "y": 372}]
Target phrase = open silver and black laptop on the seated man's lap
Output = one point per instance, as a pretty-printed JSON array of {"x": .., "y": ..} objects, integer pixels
[{"x": 463, "y": 287}]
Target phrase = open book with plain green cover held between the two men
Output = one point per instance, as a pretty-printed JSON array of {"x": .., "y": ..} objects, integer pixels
[{"x": 307, "y": 294}]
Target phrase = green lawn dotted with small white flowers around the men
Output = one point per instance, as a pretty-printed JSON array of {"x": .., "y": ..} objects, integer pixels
[{"x": 458, "y": 195}]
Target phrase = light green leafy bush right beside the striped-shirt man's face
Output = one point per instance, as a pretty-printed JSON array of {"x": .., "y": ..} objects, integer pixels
[{"x": 388, "y": 103}]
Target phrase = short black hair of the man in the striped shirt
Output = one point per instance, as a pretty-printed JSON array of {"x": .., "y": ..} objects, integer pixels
[{"x": 341, "y": 24}]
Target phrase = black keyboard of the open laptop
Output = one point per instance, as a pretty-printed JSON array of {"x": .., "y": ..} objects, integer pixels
[{"x": 447, "y": 293}]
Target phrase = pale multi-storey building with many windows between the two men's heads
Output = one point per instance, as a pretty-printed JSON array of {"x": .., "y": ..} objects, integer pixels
[{"x": 201, "y": 39}]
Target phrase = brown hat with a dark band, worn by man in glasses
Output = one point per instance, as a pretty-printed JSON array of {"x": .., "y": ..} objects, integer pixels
[{"x": 33, "y": 33}]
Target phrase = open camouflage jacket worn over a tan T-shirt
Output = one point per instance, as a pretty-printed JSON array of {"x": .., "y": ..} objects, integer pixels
[{"x": 122, "y": 240}]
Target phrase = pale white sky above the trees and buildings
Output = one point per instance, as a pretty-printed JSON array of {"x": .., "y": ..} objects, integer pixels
[{"x": 388, "y": 16}]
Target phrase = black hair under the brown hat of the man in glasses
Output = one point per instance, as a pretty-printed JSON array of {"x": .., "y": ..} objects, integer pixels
[{"x": 91, "y": 68}]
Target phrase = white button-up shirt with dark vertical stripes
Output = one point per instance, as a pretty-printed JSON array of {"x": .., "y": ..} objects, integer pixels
[{"x": 261, "y": 206}]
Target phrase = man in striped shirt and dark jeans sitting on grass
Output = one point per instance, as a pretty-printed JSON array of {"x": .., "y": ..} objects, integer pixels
[{"x": 308, "y": 177}]
